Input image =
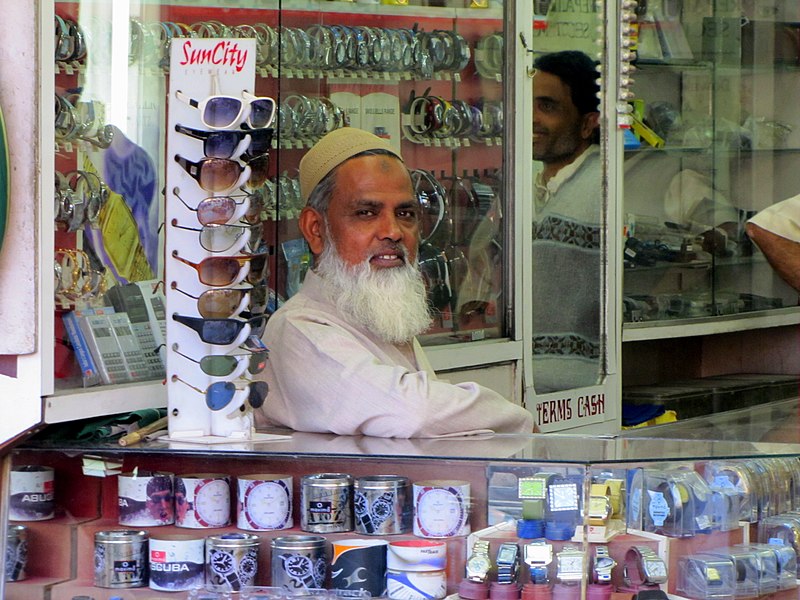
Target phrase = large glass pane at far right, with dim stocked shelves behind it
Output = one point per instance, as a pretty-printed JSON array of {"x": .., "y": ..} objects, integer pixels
[{"x": 712, "y": 144}]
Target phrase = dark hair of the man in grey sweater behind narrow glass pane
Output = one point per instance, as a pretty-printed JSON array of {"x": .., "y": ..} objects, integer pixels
[{"x": 577, "y": 71}]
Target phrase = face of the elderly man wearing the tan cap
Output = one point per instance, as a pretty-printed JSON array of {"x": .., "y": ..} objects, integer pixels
[{"x": 373, "y": 214}]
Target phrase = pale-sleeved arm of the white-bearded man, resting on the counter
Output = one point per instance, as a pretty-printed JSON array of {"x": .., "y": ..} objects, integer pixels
[{"x": 329, "y": 381}]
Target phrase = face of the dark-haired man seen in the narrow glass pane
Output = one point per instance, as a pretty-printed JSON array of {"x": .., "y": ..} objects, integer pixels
[{"x": 560, "y": 132}]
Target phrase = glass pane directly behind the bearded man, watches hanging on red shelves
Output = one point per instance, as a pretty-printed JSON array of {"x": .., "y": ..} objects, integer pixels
[{"x": 428, "y": 78}]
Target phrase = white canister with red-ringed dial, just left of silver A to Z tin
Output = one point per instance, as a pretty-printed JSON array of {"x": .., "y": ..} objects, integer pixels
[{"x": 264, "y": 502}]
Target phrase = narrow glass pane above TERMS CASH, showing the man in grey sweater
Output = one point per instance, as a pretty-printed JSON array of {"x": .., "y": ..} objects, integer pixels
[{"x": 568, "y": 200}]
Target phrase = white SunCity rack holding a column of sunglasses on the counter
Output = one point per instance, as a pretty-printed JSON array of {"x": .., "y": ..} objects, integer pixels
[{"x": 216, "y": 261}]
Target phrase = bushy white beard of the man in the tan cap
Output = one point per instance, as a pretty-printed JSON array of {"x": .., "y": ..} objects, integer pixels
[{"x": 391, "y": 303}]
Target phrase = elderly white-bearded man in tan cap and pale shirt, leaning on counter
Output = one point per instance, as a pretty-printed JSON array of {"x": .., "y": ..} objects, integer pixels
[{"x": 344, "y": 357}]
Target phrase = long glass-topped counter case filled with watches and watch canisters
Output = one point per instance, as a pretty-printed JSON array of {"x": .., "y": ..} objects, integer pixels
[{"x": 481, "y": 517}]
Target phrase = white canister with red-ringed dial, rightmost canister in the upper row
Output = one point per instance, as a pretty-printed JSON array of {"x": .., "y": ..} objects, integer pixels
[{"x": 441, "y": 508}]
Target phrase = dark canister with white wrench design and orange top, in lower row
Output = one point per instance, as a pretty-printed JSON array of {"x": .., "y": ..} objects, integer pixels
[{"x": 359, "y": 565}]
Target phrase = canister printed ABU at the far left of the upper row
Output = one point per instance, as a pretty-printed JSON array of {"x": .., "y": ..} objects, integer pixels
[{"x": 32, "y": 493}]
